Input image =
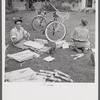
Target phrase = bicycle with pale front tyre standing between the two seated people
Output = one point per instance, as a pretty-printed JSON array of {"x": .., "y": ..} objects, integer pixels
[{"x": 54, "y": 30}]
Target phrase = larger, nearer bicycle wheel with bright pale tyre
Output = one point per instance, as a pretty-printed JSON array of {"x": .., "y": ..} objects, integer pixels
[{"x": 55, "y": 31}]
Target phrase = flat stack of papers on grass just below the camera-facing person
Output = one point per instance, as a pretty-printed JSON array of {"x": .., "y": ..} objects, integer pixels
[{"x": 23, "y": 55}]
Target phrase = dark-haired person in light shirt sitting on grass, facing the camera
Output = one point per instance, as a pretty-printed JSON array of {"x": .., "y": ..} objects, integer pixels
[{"x": 19, "y": 35}]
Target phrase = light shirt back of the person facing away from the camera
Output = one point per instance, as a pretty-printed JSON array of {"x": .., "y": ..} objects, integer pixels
[{"x": 80, "y": 34}]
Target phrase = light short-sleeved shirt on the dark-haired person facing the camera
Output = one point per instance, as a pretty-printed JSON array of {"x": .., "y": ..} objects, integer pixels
[{"x": 18, "y": 34}]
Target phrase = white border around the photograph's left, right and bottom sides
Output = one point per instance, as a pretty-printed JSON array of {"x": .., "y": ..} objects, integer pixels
[{"x": 49, "y": 91}]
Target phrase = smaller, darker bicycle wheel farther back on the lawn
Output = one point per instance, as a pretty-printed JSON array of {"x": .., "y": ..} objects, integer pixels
[{"x": 39, "y": 23}]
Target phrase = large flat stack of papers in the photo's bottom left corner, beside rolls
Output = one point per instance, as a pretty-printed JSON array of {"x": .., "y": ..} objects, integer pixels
[{"x": 22, "y": 75}]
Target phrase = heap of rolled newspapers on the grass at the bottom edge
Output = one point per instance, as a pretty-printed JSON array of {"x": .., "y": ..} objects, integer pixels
[{"x": 55, "y": 76}]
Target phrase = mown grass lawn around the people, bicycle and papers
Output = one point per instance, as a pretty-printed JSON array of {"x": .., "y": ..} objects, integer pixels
[{"x": 80, "y": 70}]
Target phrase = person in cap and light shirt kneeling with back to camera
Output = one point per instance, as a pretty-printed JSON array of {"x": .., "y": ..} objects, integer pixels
[{"x": 80, "y": 37}]
